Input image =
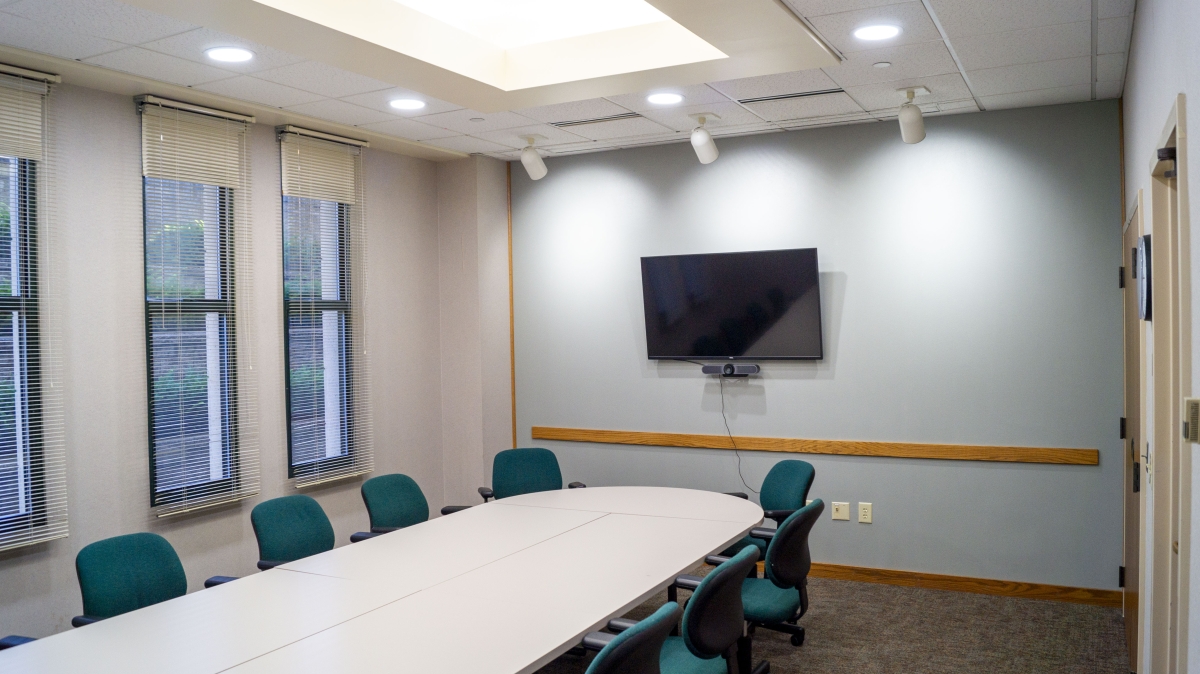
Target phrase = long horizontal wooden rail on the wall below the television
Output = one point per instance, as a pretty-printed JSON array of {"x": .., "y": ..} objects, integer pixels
[{"x": 844, "y": 448}]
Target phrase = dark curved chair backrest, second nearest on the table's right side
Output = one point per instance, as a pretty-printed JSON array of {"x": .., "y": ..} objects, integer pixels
[{"x": 713, "y": 621}]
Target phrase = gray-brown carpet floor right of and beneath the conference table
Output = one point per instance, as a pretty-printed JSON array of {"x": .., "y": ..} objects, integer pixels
[{"x": 866, "y": 628}]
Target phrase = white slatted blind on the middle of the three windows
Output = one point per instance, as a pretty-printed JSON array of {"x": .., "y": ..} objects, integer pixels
[{"x": 201, "y": 370}]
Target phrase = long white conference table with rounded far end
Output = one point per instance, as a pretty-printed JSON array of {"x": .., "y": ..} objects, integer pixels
[{"x": 501, "y": 588}]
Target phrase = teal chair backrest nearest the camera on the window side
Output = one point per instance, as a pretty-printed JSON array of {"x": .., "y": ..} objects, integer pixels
[{"x": 129, "y": 573}]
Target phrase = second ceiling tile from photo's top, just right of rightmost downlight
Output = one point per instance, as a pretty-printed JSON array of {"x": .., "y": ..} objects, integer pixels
[{"x": 1029, "y": 46}]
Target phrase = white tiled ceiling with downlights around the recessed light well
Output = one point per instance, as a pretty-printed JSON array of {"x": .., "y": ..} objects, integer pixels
[{"x": 971, "y": 56}]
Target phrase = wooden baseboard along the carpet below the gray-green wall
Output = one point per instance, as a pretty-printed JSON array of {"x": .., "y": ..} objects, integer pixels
[{"x": 1109, "y": 599}]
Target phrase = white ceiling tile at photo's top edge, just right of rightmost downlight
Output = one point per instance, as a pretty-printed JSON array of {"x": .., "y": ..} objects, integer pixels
[{"x": 962, "y": 19}]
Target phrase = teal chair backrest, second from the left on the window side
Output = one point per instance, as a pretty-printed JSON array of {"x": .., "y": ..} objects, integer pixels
[{"x": 291, "y": 528}]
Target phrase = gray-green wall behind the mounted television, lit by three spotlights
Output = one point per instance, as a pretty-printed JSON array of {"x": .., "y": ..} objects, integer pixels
[{"x": 969, "y": 296}]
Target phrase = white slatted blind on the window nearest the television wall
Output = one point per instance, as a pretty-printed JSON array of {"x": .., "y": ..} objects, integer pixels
[{"x": 329, "y": 422}]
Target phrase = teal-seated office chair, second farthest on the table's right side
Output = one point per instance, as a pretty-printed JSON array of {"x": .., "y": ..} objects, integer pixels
[{"x": 779, "y": 600}]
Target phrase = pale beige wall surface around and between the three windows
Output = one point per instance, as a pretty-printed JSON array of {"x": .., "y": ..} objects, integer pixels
[{"x": 100, "y": 252}]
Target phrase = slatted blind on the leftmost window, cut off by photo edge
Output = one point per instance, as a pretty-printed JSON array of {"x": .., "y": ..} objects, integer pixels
[{"x": 33, "y": 464}]
